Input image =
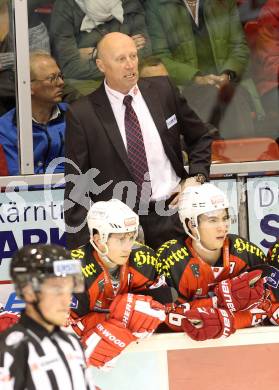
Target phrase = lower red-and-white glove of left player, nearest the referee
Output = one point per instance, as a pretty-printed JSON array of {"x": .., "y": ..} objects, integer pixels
[{"x": 106, "y": 341}]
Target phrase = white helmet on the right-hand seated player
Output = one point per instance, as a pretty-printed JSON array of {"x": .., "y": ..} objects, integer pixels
[{"x": 198, "y": 200}]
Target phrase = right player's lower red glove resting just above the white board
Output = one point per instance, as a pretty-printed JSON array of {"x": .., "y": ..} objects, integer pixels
[{"x": 204, "y": 323}]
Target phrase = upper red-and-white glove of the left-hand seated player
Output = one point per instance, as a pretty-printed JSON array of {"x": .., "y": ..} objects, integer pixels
[{"x": 138, "y": 313}]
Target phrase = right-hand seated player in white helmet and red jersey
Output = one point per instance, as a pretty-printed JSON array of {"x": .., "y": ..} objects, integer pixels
[{"x": 204, "y": 267}]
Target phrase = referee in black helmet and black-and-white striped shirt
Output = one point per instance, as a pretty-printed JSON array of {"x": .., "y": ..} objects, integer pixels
[{"x": 35, "y": 353}]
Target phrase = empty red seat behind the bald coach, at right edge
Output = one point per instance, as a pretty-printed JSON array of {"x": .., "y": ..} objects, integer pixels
[{"x": 245, "y": 149}]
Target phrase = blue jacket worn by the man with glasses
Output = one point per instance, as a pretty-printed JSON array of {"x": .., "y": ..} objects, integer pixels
[{"x": 48, "y": 141}]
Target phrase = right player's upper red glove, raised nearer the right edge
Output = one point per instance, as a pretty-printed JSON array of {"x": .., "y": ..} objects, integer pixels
[{"x": 240, "y": 292}]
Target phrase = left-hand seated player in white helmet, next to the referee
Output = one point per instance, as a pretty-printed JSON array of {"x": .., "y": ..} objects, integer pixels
[{"x": 114, "y": 268}]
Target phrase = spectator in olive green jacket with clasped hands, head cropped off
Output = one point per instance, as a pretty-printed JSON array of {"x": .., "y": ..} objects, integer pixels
[{"x": 204, "y": 50}]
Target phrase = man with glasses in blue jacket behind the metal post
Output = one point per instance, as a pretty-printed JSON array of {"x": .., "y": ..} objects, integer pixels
[{"x": 48, "y": 117}]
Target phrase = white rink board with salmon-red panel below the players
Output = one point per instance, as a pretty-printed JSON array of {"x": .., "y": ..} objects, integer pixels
[{"x": 173, "y": 361}]
